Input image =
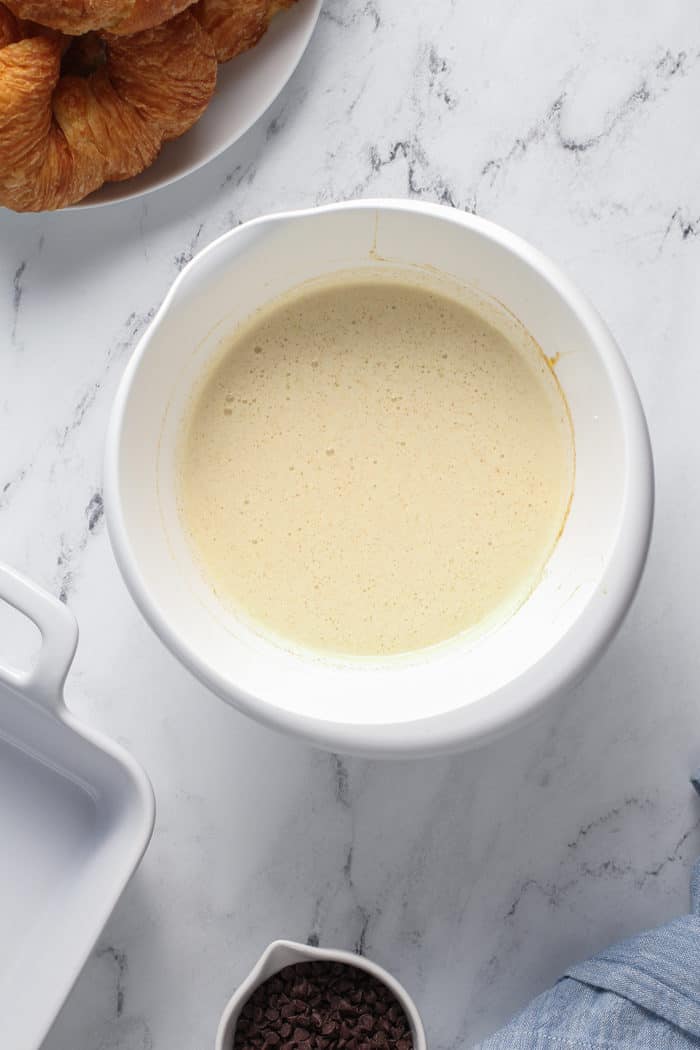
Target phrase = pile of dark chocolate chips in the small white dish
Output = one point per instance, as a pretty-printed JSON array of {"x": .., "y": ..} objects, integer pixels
[{"x": 323, "y": 1006}]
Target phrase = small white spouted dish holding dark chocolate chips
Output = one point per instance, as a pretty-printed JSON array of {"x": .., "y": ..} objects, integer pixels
[{"x": 282, "y": 954}]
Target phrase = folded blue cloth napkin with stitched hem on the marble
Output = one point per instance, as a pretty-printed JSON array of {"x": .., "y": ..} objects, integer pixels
[{"x": 644, "y": 994}]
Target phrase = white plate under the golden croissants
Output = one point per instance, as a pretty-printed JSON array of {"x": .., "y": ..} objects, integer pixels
[{"x": 246, "y": 88}]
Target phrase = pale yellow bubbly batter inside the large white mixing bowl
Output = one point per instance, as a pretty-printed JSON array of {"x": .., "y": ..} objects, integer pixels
[{"x": 372, "y": 468}]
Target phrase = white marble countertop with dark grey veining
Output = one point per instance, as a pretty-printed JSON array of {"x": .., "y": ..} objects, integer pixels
[{"x": 475, "y": 879}]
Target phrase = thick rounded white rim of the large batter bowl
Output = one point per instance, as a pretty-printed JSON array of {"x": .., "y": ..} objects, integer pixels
[{"x": 523, "y": 698}]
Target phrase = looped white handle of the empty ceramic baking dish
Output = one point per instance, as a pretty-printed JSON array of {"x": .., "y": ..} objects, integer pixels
[{"x": 59, "y": 638}]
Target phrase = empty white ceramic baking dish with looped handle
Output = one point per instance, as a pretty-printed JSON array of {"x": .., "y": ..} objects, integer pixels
[{"x": 76, "y": 816}]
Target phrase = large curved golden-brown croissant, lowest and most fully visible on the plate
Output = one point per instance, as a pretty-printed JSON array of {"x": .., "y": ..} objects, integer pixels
[{"x": 62, "y": 136}]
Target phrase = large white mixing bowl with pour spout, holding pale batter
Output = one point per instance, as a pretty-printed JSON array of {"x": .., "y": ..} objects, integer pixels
[{"x": 456, "y": 696}]
